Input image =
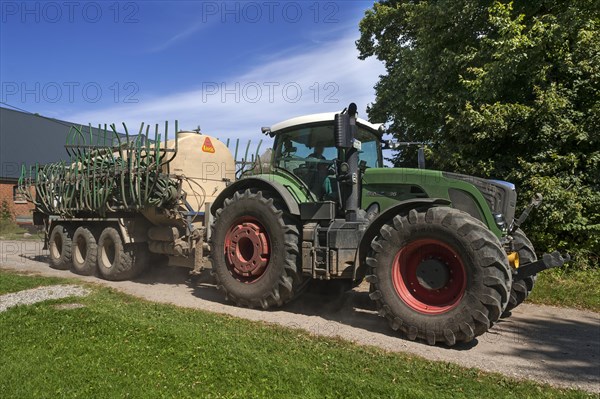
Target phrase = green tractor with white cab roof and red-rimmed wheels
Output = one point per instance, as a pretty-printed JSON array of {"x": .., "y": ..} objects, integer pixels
[{"x": 443, "y": 252}]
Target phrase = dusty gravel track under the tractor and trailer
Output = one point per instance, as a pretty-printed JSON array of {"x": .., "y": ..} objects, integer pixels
[{"x": 559, "y": 346}]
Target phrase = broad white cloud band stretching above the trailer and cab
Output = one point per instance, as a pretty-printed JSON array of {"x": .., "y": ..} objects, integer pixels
[{"x": 325, "y": 78}]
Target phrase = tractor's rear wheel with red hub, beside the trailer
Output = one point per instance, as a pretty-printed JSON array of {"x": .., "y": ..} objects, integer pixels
[{"x": 254, "y": 250}]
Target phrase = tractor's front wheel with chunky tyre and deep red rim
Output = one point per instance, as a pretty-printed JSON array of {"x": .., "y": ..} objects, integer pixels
[{"x": 439, "y": 275}]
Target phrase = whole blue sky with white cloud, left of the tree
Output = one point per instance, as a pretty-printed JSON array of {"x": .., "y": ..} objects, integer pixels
[{"x": 230, "y": 67}]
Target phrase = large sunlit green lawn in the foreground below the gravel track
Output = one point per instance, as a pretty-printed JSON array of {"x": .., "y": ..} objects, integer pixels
[{"x": 119, "y": 346}]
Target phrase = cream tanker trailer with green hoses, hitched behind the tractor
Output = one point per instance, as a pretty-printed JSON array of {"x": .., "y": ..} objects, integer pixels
[{"x": 122, "y": 201}]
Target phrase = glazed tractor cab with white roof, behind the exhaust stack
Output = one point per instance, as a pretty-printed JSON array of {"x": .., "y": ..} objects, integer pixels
[{"x": 305, "y": 147}]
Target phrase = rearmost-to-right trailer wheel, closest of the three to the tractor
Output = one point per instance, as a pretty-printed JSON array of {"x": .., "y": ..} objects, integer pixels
[{"x": 117, "y": 261}]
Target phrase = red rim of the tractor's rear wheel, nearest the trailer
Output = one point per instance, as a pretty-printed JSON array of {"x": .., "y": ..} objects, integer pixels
[{"x": 247, "y": 249}]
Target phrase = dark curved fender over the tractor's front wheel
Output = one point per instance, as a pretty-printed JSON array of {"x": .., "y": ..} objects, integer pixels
[{"x": 401, "y": 208}]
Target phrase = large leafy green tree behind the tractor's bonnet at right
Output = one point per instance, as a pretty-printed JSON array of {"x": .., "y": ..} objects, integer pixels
[{"x": 500, "y": 89}]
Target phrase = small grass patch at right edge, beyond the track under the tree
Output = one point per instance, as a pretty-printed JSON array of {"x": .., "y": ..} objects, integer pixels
[{"x": 569, "y": 288}]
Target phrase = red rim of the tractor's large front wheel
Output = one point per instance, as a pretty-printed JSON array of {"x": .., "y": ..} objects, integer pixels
[{"x": 429, "y": 276}]
